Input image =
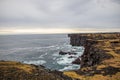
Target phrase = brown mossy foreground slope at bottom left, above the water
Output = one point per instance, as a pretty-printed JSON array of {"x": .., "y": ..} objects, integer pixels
[{"x": 11, "y": 70}]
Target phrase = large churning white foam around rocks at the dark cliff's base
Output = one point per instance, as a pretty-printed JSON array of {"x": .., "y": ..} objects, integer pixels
[{"x": 67, "y": 61}]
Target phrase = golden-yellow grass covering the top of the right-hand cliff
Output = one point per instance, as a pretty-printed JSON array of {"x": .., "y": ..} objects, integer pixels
[{"x": 108, "y": 69}]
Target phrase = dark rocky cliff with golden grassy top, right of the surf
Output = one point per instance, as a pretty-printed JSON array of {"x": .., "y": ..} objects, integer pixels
[{"x": 101, "y": 57}]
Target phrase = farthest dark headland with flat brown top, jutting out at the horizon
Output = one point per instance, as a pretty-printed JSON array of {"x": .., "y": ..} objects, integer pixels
[{"x": 80, "y": 39}]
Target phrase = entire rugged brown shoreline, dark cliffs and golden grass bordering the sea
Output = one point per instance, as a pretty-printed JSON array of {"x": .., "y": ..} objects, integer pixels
[{"x": 100, "y": 61}]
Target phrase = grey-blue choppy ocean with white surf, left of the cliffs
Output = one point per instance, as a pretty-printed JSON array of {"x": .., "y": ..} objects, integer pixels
[{"x": 40, "y": 49}]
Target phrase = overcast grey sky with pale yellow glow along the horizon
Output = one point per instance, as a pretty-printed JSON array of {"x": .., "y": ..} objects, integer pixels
[{"x": 59, "y": 16}]
